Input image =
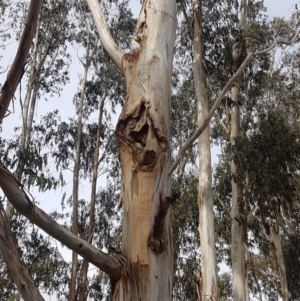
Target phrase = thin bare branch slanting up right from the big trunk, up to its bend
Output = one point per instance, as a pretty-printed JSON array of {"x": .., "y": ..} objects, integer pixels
[{"x": 205, "y": 123}]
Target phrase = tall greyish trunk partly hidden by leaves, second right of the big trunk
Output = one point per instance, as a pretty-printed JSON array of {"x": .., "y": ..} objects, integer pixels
[{"x": 237, "y": 227}]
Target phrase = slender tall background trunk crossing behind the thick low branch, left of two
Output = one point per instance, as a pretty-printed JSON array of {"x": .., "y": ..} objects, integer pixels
[{"x": 72, "y": 295}]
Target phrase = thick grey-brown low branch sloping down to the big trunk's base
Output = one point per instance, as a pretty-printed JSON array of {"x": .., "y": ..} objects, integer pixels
[{"x": 17, "y": 197}]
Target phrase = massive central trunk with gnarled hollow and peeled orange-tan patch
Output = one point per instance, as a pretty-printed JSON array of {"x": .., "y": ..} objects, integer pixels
[{"x": 143, "y": 133}]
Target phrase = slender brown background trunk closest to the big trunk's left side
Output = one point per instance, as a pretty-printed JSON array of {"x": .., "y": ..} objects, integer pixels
[{"x": 85, "y": 264}]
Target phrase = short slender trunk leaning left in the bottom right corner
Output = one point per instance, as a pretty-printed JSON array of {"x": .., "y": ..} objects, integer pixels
[{"x": 276, "y": 241}]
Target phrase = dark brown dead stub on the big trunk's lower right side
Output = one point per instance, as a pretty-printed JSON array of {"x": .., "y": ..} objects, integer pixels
[{"x": 156, "y": 240}]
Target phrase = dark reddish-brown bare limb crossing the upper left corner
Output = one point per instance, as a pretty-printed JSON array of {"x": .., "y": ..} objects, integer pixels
[{"x": 17, "y": 69}]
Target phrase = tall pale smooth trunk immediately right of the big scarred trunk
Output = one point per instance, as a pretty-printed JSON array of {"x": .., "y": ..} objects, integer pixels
[{"x": 208, "y": 284}]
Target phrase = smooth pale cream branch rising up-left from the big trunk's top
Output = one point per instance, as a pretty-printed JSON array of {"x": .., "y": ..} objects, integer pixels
[{"x": 104, "y": 33}]
